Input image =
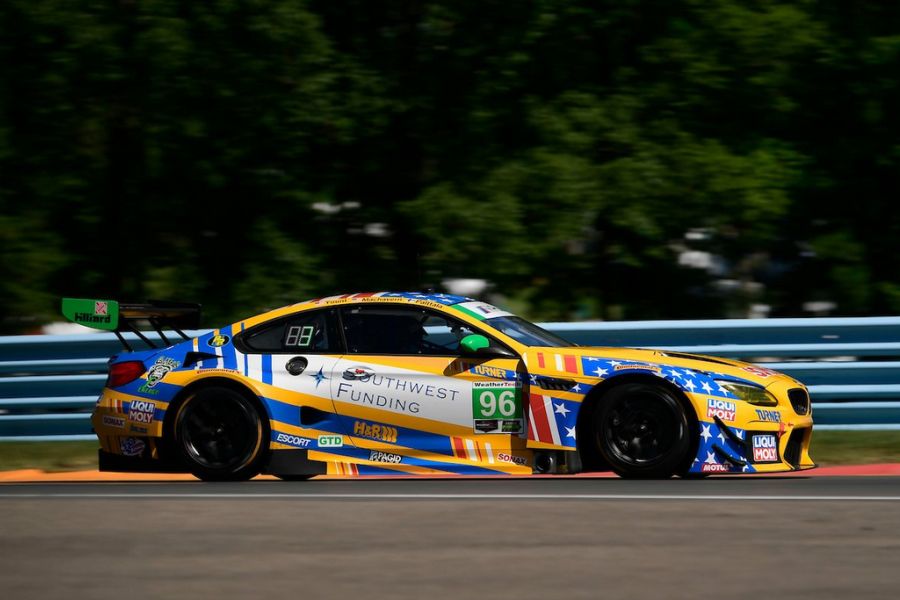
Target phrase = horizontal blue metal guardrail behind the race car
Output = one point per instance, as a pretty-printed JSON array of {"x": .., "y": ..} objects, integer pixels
[{"x": 48, "y": 384}]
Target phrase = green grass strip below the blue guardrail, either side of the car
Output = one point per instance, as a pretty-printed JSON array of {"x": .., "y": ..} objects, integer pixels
[{"x": 828, "y": 448}]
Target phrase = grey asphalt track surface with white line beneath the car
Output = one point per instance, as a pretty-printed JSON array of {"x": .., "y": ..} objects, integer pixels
[{"x": 779, "y": 537}]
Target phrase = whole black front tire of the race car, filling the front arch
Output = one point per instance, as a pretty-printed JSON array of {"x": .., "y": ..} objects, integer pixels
[{"x": 642, "y": 431}]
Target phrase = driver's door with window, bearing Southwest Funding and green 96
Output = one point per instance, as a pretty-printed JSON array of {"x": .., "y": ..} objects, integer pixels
[{"x": 406, "y": 390}]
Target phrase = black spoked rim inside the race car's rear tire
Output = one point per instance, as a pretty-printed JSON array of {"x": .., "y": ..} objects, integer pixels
[{"x": 219, "y": 432}]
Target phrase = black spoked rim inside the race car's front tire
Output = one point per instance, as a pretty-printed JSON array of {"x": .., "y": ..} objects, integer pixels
[{"x": 640, "y": 430}]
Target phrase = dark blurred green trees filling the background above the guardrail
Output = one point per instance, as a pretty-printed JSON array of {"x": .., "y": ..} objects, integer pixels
[{"x": 247, "y": 154}]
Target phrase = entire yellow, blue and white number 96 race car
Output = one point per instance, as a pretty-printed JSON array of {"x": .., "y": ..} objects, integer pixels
[{"x": 408, "y": 383}]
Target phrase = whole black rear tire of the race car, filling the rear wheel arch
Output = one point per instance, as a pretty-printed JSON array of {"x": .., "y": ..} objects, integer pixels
[{"x": 220, "y": 435}]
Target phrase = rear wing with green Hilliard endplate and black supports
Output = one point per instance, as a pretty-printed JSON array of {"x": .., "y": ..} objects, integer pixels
[{"x": 110, "y": 315}]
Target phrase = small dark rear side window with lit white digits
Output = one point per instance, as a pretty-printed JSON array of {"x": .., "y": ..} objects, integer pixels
[{"x": 304, "y": 333}]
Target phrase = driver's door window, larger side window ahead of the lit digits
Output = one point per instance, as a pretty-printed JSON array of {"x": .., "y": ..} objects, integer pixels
[{"x": 401, "y": 330}]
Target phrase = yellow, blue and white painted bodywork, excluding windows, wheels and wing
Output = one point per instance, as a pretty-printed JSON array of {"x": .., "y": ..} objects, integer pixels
[{"x": 419, "y": 414}]
